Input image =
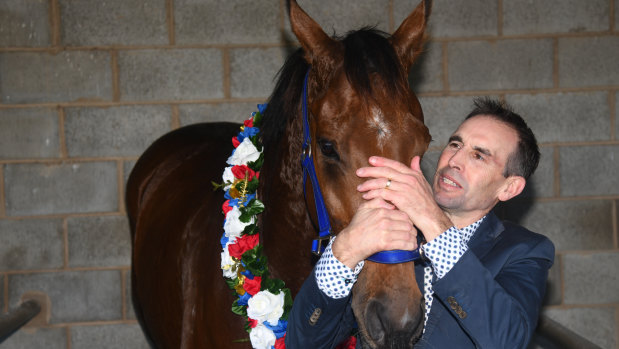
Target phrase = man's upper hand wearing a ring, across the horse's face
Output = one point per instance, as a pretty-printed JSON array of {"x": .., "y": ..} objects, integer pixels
[{"x": 408, "y": 190}]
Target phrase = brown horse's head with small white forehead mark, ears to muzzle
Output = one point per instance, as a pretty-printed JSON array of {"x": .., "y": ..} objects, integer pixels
[{"x": 360, "y": 105}]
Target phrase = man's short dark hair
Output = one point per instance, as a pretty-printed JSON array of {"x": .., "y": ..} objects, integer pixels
[{"x": 524, "y": 160}]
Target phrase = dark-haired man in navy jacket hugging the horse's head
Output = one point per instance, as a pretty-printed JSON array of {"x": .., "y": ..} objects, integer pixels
[{"x": 499, "y": 269}]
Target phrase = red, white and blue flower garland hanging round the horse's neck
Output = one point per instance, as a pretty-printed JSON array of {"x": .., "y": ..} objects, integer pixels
[{"x": 263, "y": 301}]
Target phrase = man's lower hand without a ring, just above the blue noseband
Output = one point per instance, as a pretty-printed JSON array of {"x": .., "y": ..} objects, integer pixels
[{"x": 377, "y": 226}]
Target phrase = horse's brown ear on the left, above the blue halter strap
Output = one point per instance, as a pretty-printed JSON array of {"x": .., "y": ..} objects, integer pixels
[{"x": 321, "y": 51}]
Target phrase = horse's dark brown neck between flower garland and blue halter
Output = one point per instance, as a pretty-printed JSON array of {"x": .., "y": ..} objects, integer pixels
[{"x": 286, "y": 228}]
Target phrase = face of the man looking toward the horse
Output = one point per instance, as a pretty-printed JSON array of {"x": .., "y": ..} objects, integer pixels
[{"x": 469, "y": 175}]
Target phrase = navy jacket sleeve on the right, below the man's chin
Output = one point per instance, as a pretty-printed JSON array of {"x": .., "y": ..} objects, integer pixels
[{"x": 498, "y": 306}]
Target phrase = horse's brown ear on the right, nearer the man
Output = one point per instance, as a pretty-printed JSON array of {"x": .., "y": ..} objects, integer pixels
[{"x": 409, "y": 37}]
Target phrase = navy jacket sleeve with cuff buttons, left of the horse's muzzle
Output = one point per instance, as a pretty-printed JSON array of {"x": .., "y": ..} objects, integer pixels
[{"x": 317, "y": 320}]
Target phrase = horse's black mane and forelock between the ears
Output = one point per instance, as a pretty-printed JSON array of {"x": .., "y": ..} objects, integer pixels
[{"x": 367, "y": 51}]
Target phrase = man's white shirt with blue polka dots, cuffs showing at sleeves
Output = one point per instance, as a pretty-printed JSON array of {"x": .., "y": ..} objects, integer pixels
[{"x": 336, "y": 279}]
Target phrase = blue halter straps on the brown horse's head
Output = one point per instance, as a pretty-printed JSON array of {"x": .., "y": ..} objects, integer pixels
[{"x": 324, "y": 226}]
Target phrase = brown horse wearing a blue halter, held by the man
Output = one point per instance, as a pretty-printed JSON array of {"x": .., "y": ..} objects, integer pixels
[{"x": 360, "y": 105}]
